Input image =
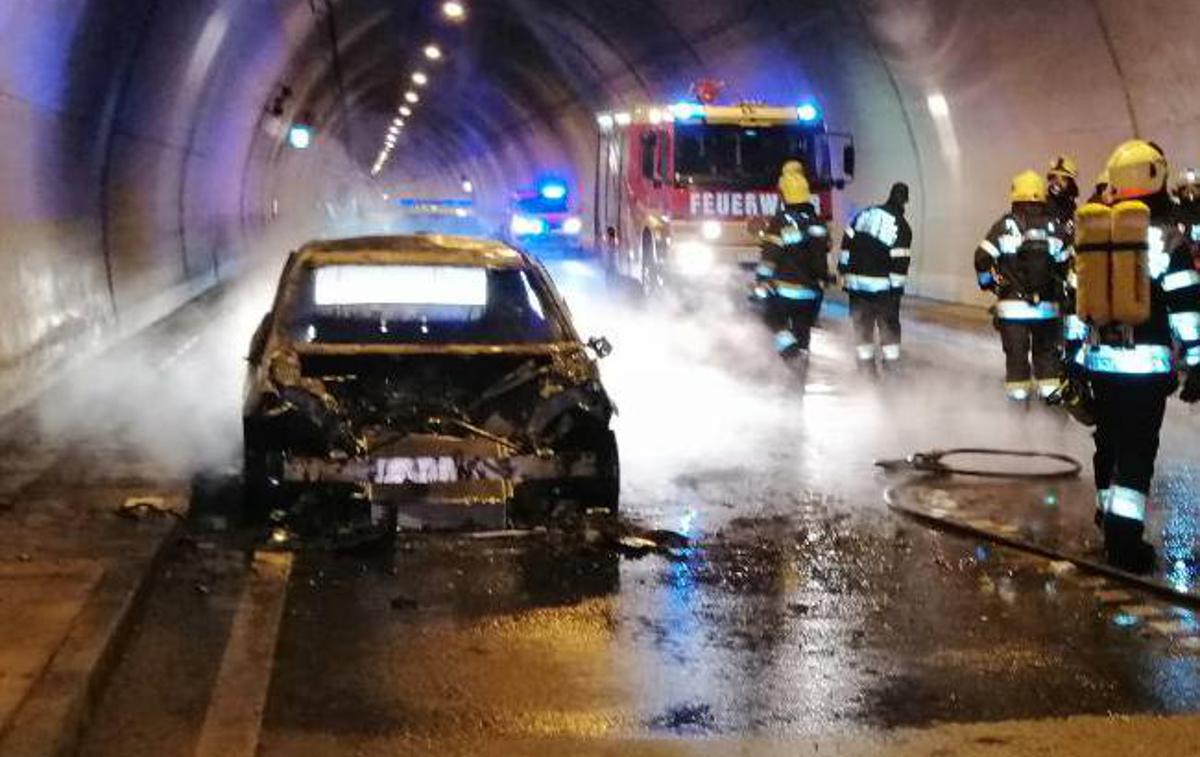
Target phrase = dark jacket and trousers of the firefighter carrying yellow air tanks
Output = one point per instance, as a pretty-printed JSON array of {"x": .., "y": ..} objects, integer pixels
[{"x": 1132, "y": 373}]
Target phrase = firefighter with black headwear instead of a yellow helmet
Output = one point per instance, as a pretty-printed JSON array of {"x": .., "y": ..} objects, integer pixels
[{"x": 874, "y": 265}]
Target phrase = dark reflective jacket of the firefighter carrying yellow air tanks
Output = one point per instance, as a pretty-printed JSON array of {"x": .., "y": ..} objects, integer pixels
[{"x": 1174, "y": 325}]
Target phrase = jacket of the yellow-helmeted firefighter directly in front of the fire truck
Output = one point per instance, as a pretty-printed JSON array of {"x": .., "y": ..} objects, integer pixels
[{"x": 795, "y": 254}]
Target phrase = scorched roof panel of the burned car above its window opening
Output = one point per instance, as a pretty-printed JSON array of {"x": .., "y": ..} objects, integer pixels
[{"x": 416, "y": 250}]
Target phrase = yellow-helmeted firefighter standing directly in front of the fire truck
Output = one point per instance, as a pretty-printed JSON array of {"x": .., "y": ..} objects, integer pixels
[{"x": 795, "y": 268}]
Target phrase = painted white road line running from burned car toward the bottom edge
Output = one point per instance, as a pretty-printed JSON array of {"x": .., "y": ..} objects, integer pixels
[{"x": 236, "y": 712}]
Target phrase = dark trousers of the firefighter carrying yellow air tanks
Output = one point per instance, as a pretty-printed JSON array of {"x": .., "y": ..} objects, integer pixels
[{"x": 1130, "y": 414}]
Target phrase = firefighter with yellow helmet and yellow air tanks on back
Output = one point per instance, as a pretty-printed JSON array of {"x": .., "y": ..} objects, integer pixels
[{"x": 1141, "y": 296}]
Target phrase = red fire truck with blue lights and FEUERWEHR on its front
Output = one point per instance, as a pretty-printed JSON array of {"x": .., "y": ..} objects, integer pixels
[{"x": 683, "y": 191}]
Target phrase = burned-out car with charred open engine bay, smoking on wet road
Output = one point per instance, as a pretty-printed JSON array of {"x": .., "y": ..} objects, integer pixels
[{"x": 427, "y": 382}]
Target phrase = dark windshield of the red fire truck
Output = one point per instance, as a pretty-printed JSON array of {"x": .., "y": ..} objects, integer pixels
[{"x": 739, "y": 157}]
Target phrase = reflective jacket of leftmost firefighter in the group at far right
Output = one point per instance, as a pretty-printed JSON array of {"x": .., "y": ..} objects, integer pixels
[{"x": 1024, "y": 261}]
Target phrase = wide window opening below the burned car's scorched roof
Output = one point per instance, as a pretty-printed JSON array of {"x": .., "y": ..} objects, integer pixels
[{"x": 371, "y": 304}]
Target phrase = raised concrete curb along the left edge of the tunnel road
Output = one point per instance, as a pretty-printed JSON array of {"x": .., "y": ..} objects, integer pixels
[{"x": 55, "y": 713}]
